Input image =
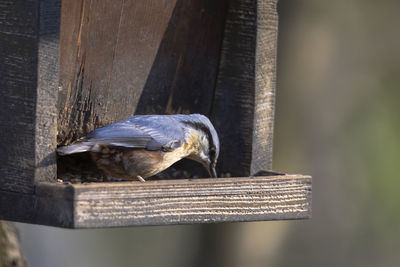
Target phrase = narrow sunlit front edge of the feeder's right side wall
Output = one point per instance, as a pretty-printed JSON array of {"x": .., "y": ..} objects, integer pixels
[{"x": 265, "y": 83}]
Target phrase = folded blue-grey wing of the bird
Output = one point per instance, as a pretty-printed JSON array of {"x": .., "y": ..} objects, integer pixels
[{"x": 149, "y": 132}]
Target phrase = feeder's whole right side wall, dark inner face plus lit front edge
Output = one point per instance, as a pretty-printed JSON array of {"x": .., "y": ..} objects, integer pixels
[{"x": 243, "y": 110}]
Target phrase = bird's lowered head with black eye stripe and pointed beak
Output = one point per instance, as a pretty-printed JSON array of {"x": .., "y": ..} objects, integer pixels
[{"x": 206, "y": 142}]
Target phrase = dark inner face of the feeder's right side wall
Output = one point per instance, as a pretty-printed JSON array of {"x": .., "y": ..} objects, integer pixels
[{"x": 233, "y": 109}]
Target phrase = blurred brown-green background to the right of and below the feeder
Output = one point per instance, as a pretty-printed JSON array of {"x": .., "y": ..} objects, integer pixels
[{"x": 337, "y": 118}]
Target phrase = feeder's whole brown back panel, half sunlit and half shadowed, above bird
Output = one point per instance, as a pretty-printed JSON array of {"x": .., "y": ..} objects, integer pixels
[{"x": 136, "y": 57}]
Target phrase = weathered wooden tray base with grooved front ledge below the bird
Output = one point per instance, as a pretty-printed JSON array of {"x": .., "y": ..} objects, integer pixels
[{"x": 167, "y": 202}]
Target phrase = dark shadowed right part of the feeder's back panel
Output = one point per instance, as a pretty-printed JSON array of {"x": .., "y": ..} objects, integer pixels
[{"x": 183, "y": 75}]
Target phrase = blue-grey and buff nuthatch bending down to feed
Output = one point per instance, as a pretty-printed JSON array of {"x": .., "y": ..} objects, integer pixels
[{"x": 143, "y": 145}]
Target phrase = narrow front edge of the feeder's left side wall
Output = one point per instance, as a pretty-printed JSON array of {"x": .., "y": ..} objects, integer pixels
[{"x": 47, "y": 91}]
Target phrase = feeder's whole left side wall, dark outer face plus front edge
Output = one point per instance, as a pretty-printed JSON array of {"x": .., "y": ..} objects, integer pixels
[{"x": 28, "y": 81}]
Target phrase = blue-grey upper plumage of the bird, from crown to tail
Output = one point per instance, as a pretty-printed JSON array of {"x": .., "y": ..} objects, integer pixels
[{"x": 151, "y": 132}]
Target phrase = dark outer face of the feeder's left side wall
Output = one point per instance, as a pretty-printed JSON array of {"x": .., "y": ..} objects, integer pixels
[{"x": 18, "y": 77}]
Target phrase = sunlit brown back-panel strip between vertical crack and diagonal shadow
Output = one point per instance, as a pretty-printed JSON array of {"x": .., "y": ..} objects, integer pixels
[{"x": 143, "y": 27}]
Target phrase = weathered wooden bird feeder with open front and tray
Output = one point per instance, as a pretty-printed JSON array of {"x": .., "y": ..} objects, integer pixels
[{"x": 68, "y": 67}]
